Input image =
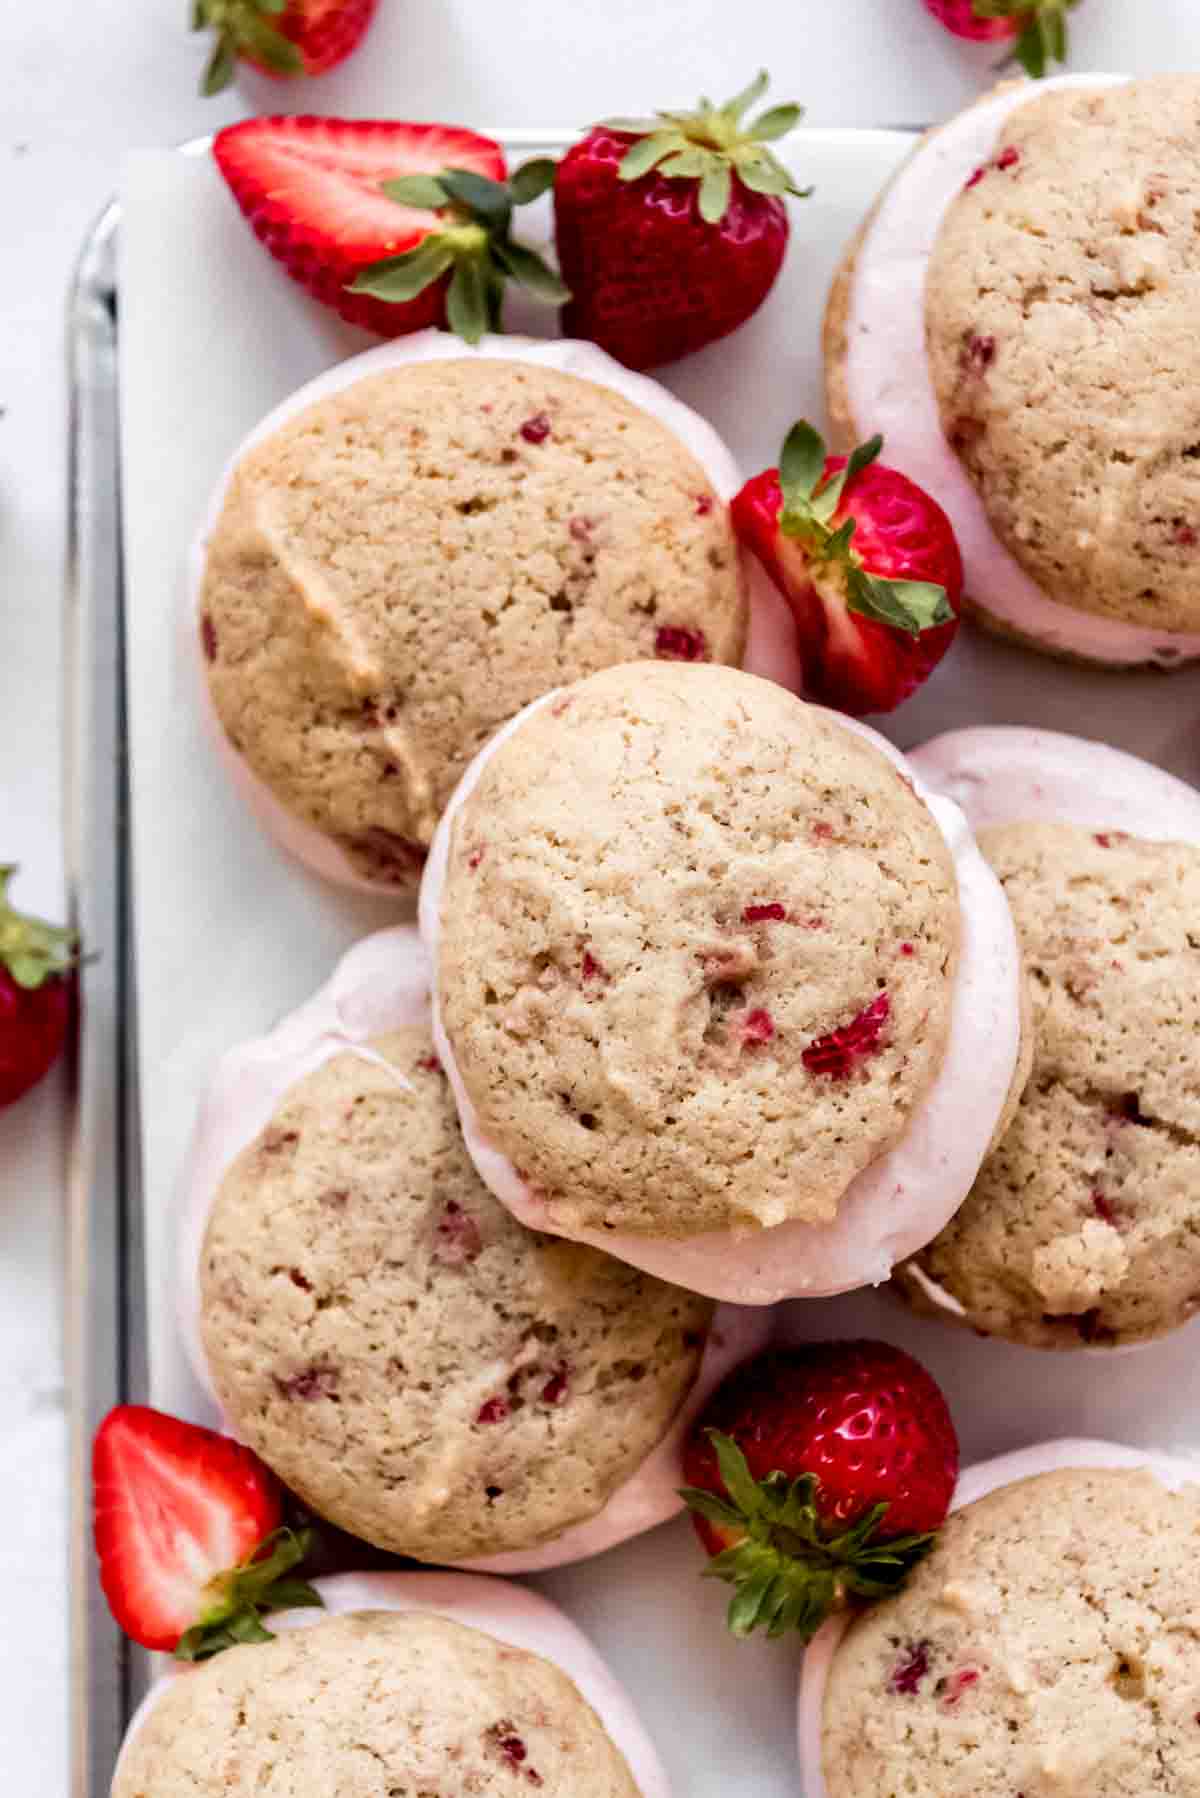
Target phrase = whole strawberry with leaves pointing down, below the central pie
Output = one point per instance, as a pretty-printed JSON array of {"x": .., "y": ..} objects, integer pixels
[{"x": 818, "y": 1477}]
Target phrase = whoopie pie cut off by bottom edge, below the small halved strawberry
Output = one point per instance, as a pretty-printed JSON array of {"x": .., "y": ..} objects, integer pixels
[{"x": 395, "y": 1680}]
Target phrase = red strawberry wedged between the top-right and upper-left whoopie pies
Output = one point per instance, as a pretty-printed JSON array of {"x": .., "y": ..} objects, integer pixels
[{"x": 868, "y": 564}]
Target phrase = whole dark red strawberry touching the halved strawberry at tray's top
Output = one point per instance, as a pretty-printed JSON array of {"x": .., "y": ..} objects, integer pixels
[{"x": 670, "y": 233}]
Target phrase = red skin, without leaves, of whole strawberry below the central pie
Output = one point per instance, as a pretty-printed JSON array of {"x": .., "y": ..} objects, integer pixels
[{"x": 863, "y": 1418}]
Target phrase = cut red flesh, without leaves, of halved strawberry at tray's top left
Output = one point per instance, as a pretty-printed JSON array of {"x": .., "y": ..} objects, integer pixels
[{"x": 312, "y": 193}]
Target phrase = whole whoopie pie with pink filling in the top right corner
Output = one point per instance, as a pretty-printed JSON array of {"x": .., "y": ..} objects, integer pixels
[{"x": 1017, "y": 317}]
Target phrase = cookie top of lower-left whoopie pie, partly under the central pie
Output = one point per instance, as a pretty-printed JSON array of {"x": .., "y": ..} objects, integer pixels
[{"x": 420, "y": 1367}]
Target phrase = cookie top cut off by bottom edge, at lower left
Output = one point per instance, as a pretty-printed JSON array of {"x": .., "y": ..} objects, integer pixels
[{"x": 370, "y": 1705}]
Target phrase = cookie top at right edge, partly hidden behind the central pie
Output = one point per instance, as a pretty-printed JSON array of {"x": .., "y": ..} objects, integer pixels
[{"x": 1084, "y": 1225}]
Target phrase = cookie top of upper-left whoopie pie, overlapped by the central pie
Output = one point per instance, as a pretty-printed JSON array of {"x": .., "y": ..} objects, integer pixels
[{"x": 409, "y": 562}]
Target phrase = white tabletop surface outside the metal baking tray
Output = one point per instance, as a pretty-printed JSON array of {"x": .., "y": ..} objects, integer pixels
[{"x": 82, "y": 85}]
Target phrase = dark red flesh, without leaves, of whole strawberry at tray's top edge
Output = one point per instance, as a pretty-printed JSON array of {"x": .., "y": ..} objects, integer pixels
[{"x": 650, "y": 280}]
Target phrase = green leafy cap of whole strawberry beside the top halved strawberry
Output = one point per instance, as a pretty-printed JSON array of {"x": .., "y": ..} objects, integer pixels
[{"x": 712, "y": 145}]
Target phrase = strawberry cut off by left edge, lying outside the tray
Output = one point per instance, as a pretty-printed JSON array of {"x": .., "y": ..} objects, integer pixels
[{"x": 37, "y": 995}]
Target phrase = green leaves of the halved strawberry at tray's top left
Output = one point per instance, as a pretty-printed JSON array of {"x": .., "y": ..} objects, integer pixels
[{"x": 474, "y": 247}]
